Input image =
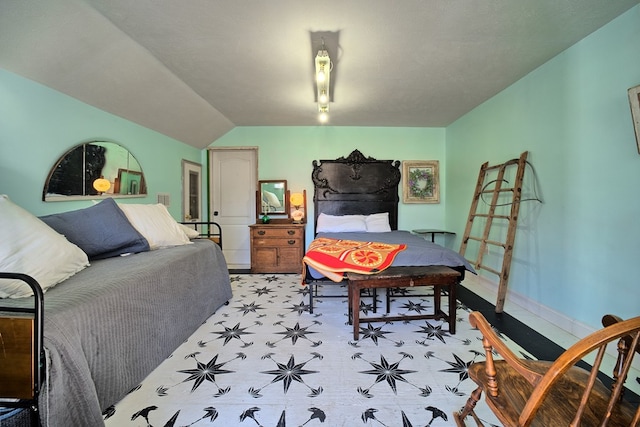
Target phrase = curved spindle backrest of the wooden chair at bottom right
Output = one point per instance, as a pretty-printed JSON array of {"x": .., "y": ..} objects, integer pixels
[{"x": 627, "y": 334}]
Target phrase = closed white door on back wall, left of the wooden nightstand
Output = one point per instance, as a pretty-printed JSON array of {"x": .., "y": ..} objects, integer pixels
[{"x": 233, "y": 177}]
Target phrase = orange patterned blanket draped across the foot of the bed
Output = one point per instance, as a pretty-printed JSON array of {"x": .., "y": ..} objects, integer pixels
[{"x": 333, "y": 257}]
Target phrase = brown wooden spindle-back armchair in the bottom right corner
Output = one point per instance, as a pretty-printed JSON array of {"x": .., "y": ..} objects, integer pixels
[{"x": 559, "y": 393}]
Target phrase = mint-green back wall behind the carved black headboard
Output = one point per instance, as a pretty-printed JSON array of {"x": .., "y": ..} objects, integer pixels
[{"x": 288, "y": 153}]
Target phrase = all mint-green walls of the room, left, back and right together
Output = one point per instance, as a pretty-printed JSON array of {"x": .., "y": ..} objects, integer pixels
[{"x": 573, "y": 252}]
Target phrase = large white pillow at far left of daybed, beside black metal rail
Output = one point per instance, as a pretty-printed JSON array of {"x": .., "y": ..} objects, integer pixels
[{"x": 29, "y": 246}]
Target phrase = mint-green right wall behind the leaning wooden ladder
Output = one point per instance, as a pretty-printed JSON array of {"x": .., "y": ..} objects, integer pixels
[{"x": 575, "y": 251}]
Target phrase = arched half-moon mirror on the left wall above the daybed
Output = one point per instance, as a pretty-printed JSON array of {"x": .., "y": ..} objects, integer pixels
[{"x": 93, "y": 169}]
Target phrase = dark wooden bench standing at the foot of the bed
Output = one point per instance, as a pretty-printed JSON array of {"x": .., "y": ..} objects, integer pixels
[{"x": 440, "y": 277}]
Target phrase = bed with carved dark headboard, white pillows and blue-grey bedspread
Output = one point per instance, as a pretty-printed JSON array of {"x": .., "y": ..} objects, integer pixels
[{"x": 356, "y": 199}]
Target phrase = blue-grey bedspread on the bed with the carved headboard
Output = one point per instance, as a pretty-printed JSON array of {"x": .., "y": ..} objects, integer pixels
[{"x": 418, "y": 252}]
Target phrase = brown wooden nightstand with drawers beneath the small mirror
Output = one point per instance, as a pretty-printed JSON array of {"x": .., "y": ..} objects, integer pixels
[{"x": 277, "y": 248}]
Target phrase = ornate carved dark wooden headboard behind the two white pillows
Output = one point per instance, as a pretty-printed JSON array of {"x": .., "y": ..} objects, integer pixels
[{"x": 356, "y": 185}]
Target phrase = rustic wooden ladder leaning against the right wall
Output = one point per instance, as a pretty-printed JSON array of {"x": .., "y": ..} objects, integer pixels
[{"x": 489, "y": 216}]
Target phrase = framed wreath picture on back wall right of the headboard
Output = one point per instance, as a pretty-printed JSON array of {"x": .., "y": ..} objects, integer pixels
[{"x": 420, "y": 182}]
